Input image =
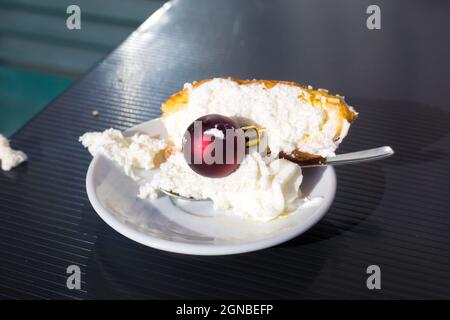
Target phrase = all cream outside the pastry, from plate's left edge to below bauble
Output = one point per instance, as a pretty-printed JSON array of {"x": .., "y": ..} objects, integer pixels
[{"x": 261, "y": 188}]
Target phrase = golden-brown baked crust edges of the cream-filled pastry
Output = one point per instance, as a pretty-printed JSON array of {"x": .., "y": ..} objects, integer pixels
[{"x": 318, "y": 98}]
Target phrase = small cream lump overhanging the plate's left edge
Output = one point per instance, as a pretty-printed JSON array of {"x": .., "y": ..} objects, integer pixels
[{"x": 139, "y": 151}]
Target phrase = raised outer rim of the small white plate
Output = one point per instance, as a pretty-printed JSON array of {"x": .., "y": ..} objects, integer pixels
[{"x": 201, "y": 249}]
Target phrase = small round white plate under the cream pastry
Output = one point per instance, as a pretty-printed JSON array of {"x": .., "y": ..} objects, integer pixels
[{"x": 167, "y": 225}]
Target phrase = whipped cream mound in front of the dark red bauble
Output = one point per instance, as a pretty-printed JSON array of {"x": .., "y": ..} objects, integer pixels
[{"x": 261, "y": 188}]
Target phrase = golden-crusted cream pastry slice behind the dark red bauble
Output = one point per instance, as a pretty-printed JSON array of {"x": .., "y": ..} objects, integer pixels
[{"x": 302, "y": 124}]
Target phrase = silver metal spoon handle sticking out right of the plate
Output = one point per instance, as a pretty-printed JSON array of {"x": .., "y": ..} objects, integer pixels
[{"x": 355, "y": 157}]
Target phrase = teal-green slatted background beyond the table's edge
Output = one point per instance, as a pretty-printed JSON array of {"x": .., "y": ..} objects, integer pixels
[{"x": 40, "y": 57}]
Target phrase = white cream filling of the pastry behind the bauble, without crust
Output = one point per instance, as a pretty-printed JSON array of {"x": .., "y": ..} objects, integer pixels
[{"x": 291, "y": 123}]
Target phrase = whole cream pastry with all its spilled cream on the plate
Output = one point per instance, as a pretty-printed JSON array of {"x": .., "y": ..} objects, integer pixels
[{"x": 300, "y": 124}]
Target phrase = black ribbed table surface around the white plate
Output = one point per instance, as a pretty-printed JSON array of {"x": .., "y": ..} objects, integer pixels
[{"x": 393, "y": 213}]
